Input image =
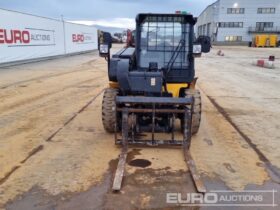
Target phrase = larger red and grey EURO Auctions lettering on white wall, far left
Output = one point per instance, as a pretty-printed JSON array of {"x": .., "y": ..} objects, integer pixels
[{"x": 26, "y": 37}]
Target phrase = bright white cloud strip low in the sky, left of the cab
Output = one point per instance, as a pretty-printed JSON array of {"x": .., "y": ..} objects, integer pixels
[{"x": 115, "y": 22}]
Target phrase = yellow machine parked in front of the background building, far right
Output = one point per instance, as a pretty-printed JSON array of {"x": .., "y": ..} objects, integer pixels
[{"x": 265, "y": 40}]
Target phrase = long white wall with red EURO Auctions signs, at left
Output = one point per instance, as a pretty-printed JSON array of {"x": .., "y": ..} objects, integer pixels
[{"x": 28, "y": 37}]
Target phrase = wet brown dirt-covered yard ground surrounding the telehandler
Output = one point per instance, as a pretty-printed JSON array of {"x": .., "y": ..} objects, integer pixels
[{"x": 54, "y": 153}]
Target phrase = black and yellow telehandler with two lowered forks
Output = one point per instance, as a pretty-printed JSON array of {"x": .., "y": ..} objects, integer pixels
[{"x": 153, "y": 84}]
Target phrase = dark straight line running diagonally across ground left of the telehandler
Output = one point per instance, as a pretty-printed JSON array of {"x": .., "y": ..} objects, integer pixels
[{"x": 41, "y": 147}]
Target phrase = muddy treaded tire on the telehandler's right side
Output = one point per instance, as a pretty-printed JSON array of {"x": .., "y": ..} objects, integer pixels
[{"x": 196, "y": 115}]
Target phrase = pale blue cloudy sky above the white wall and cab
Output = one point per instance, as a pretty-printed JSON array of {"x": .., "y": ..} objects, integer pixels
[{"x": 117, "y": 13}]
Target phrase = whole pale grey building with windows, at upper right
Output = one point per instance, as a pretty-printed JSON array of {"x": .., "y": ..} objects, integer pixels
[{"x": 237, "y": 21}]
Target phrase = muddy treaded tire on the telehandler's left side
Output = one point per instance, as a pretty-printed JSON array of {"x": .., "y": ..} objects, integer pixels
[{"x": 109, "y": 109}]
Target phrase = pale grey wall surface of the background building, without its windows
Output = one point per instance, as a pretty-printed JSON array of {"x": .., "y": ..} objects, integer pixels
[{"x": 249, "y": 18}]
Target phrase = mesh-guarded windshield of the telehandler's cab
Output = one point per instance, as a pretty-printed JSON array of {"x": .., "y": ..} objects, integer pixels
[{"x": 160, "y": 37}]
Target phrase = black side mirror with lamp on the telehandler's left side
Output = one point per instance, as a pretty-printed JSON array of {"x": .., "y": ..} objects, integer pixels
[{"x": 104, "y": 44}]
